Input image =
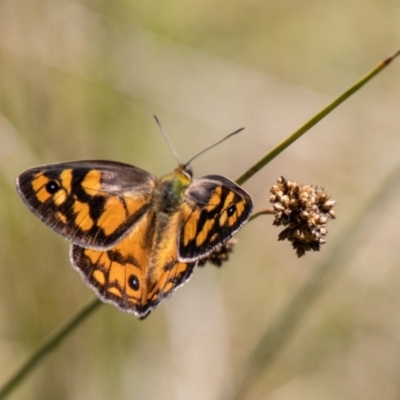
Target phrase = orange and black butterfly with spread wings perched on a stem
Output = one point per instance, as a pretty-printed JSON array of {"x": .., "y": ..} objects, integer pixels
[{"x": 135, "y": 238}]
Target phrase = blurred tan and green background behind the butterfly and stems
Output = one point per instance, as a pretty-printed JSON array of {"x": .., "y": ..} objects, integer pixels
[{"x": 82, "y": 79}]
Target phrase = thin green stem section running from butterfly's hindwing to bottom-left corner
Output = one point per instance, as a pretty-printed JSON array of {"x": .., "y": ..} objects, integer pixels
[{"x": 49, "y": 344}]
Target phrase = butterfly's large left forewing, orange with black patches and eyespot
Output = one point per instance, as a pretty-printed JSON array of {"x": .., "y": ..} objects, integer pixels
[{"x": 91, "y": 203}]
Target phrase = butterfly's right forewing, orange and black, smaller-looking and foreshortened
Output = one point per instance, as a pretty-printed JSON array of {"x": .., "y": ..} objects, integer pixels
[{"x": 214, "y": 208}]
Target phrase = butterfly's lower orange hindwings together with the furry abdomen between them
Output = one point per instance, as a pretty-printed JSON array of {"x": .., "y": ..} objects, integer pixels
[{"x": 139, "y": 271}]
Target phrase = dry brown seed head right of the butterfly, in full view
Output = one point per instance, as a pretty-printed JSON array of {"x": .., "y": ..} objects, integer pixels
[{"x": 304, "y": 211}]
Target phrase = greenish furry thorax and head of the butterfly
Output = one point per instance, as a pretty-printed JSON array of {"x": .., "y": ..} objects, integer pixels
[{"x": 171, "y": 190}]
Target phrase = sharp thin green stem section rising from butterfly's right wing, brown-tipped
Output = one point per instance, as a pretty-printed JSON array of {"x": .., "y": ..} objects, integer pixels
[{"x": 314, "y": 120}]
